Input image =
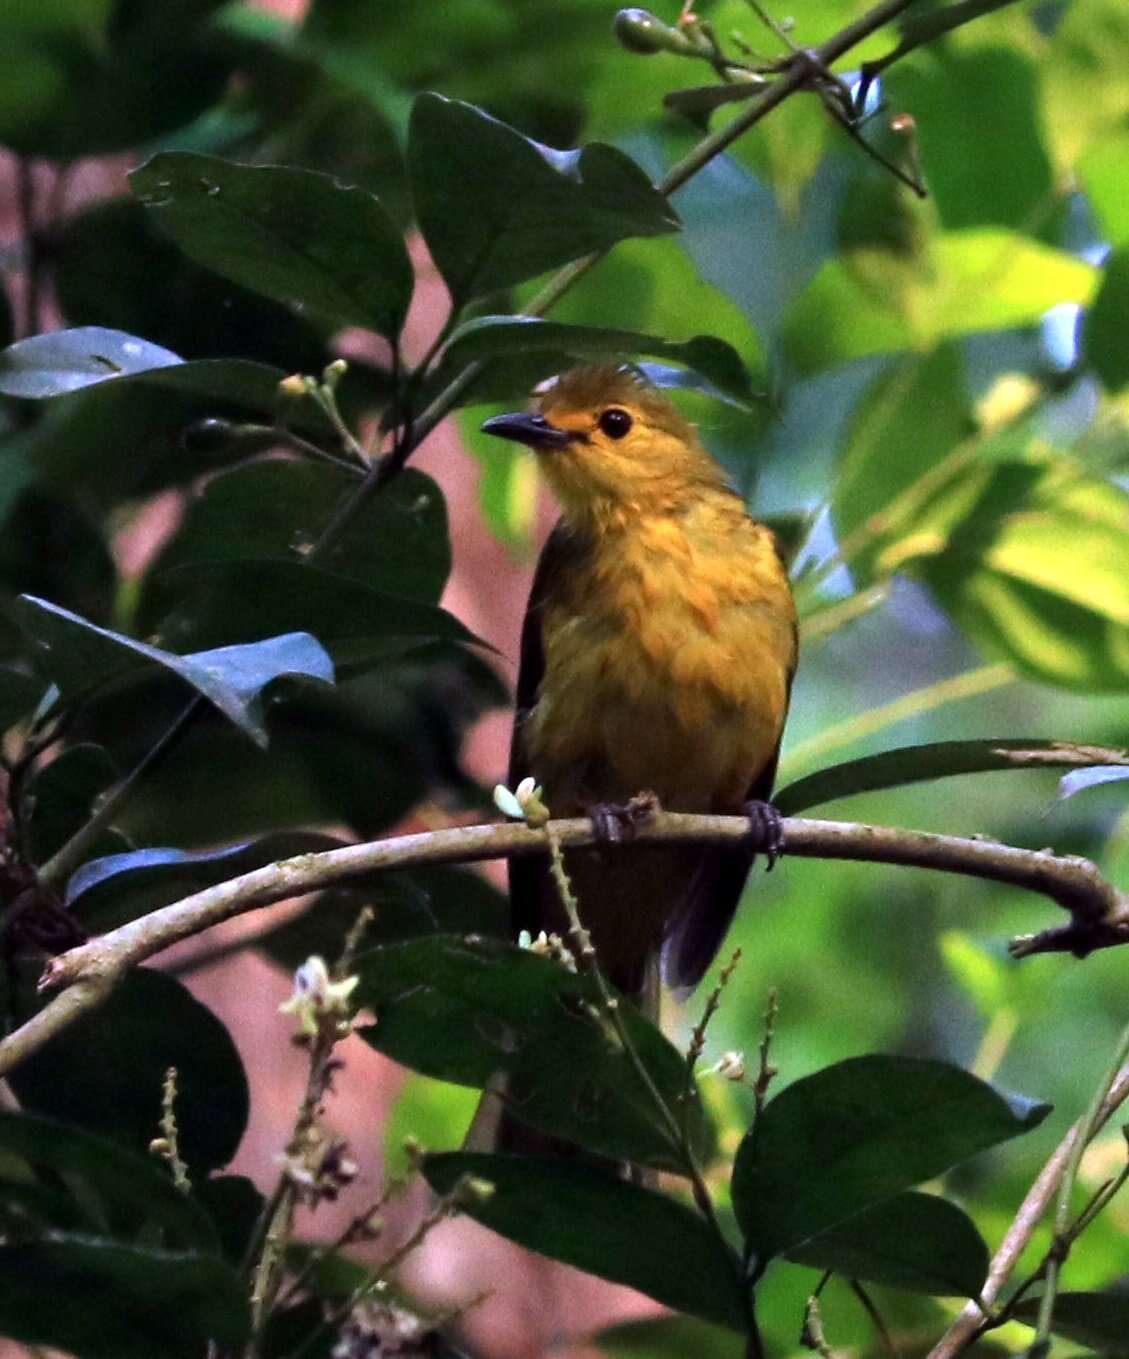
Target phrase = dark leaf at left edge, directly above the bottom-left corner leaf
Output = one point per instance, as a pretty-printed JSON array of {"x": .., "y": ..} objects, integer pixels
[{"x": 119, "y": 1191}]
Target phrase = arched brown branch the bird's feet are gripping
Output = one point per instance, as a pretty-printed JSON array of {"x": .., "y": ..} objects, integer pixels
[{"x": 1100, "y": 913}]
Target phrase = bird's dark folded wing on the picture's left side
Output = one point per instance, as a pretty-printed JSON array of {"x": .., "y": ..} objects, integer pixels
[{"x": 529, "y": 877}]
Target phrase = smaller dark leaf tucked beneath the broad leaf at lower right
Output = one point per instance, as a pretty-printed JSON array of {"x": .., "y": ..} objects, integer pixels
[{"x": 912, "y": 1241}]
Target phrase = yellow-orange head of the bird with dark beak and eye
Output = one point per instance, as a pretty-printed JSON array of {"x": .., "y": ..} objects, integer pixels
[{"x": 612, "y": 444}]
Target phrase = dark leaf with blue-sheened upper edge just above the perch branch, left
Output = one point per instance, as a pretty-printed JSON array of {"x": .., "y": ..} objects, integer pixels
[{"x": 108, "y": 892}]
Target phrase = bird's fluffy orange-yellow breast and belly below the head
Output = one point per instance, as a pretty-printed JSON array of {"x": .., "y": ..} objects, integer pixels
[{"x": 668, "y": 661}]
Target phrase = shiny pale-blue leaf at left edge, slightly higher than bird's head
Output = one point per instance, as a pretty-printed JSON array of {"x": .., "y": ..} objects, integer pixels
[{"x": 66, "y": 361}]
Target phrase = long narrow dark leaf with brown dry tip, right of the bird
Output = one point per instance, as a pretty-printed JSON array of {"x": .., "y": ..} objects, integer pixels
[{"x": 937, "y": 760}]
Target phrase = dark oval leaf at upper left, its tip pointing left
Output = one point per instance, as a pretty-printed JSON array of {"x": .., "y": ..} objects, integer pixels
[{"x": 295, "y": 236}]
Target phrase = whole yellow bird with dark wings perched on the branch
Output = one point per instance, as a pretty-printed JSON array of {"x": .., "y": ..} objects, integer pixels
[{"x": 657, "y": 656}]
